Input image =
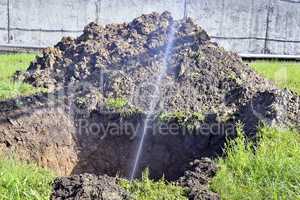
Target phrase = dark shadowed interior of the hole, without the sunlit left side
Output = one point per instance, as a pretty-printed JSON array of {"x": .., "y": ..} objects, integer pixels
[{"x": 108, "y": 145}]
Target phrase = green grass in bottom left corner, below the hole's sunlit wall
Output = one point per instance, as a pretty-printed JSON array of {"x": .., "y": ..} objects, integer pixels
[{"x": 20, "y": 181}]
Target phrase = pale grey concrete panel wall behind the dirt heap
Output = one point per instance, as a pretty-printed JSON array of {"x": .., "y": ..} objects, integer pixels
[{"x": 245, "y": 26}]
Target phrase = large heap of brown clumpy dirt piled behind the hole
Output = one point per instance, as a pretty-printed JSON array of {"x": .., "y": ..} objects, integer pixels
[{"x": 124, "y": 61}]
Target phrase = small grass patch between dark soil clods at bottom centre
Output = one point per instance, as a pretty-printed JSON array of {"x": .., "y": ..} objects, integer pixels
[{"x": 146, "y": 189}]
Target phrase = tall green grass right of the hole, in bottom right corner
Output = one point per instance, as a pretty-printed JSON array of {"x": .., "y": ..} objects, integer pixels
[{"x": 272, "y": 172}]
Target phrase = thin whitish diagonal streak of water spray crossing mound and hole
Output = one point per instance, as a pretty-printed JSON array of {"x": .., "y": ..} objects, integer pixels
[{"x": 155, "y": 98}]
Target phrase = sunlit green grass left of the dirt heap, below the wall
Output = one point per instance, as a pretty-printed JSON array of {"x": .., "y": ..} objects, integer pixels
[{"x": 9, "y": 64}]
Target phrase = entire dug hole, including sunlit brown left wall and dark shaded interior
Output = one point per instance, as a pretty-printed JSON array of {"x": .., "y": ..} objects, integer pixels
[{"x": 104, "y": 143}]
